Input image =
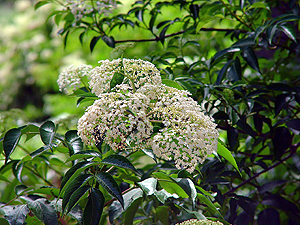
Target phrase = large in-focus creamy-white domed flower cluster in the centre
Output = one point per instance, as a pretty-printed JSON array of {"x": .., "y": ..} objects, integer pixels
[{"x": 140, "y": 112}]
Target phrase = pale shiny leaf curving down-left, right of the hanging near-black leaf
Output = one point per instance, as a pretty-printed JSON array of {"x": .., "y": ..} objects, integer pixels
[{"x": 115, "y": 210}]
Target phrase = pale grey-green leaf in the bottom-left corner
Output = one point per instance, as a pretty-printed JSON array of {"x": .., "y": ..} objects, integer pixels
[{"x": 17, "y": 214}]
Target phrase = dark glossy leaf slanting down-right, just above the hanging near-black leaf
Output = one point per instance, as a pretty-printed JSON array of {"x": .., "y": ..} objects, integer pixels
[{"x": 110, "y": 185}]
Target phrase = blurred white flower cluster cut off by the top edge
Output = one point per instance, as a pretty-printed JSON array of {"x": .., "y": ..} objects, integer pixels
[{"x": 80, "y": 8}]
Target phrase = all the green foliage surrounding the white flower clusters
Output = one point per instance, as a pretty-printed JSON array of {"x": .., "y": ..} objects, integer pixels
[{"x": 238, "y": 59}]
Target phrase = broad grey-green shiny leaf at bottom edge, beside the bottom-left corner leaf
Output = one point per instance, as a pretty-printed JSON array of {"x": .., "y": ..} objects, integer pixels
[{"x": 43, "y": 211}]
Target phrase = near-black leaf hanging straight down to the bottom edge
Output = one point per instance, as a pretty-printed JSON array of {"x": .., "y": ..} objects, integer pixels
[{"x": 94, "y": 207}]
